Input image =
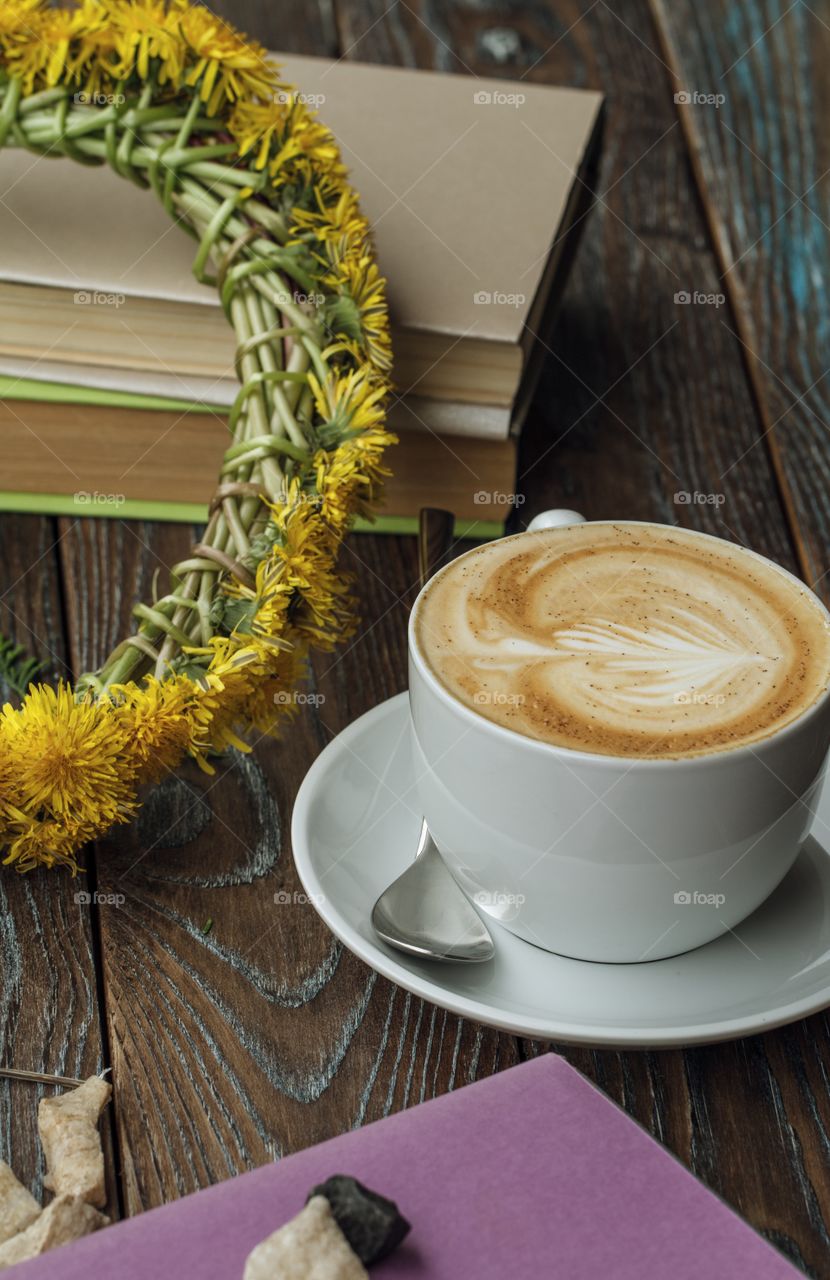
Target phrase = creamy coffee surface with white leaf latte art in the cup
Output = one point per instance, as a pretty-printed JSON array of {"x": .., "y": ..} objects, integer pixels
[{"x": 626, "y": 639}]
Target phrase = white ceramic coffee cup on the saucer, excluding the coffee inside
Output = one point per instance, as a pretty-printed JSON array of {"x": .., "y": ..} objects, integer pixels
[{"x": 606, "y": 858}]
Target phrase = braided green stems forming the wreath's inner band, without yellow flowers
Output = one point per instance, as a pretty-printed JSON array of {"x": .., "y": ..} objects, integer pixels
[{"x": 280, "y": 339}]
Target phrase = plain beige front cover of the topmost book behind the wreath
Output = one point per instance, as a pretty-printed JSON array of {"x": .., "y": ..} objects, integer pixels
[{"x": 467, "y": 182}]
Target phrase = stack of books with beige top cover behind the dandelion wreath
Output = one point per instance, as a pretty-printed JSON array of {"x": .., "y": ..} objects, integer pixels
[{"x": 117, "y": 365}]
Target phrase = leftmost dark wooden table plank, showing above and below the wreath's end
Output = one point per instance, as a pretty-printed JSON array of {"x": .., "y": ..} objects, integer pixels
[{"x": 49, "y": 1003}]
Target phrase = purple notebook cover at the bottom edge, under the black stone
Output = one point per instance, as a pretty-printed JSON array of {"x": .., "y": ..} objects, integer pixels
[{"x": 530, "y": 1173}]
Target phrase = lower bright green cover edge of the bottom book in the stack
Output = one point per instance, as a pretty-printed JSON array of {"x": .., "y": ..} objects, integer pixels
[{"x": 197, "y": 514}]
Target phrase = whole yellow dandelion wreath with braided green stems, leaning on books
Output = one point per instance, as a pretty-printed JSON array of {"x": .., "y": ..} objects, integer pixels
[{"x": 176, "y": 100}]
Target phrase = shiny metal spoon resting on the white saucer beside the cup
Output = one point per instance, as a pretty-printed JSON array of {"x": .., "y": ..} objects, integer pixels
[{"x": 425, "y": 912}]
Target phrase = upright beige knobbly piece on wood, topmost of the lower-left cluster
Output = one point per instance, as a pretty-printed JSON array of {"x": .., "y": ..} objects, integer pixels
[{"x": 72, "y": 1145}]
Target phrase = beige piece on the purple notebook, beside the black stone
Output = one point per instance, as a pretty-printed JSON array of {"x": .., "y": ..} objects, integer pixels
[{"x": 309, "y": 1247}]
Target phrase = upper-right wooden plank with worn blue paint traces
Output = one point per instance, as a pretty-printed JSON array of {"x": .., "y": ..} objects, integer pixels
[{"x": 764, "y": 161}]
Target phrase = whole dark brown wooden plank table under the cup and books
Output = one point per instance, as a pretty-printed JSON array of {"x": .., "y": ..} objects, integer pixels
[{"x": 263, "y": 1036}]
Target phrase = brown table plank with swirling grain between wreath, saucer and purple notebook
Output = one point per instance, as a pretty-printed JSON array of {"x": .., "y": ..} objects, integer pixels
[{"x": 262, "y": 1035}]
